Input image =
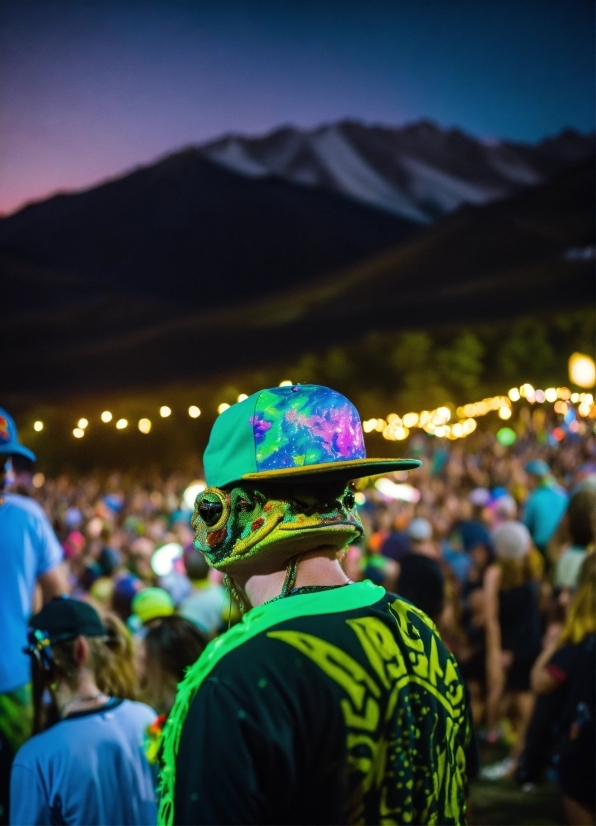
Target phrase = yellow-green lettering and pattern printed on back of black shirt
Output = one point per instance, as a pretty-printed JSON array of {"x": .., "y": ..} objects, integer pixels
[{"x": 405, "y": 719}]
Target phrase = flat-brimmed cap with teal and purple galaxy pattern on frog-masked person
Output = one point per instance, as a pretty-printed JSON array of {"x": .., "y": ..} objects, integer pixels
[{"x": 303, "y": 432}]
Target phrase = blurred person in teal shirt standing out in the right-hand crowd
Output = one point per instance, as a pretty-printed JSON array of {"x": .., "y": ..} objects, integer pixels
[{"x": 545, "y": 506}]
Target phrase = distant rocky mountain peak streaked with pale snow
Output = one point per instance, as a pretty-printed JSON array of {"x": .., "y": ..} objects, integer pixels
[{"x": 419, "y": 171}]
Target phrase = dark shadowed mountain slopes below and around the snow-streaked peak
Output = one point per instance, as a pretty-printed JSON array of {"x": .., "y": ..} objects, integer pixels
[{"x": 187, "y": 269}]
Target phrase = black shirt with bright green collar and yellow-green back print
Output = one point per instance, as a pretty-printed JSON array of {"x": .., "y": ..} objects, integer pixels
[{"x": 341, "y": 706}]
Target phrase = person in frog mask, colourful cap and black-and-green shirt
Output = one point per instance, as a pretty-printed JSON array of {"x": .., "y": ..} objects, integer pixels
[{"x": 332, "y": 701}]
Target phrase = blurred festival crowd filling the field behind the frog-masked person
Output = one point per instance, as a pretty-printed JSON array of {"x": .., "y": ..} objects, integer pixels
[{"x": 495, "y": 544}]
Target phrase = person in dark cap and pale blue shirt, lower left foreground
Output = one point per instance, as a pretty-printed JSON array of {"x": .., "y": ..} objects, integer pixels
[{"x": 90, "y": 766}]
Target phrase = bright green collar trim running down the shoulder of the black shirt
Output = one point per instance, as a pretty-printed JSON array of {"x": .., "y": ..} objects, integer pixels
[{"x": 335, "y": 601}]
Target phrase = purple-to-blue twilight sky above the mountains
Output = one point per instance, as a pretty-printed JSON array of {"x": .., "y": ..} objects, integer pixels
[{"x": 91, "y": 88}]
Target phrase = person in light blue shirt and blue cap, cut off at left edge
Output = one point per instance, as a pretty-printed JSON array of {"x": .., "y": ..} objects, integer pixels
[{"x": 30, "y": 554}]
